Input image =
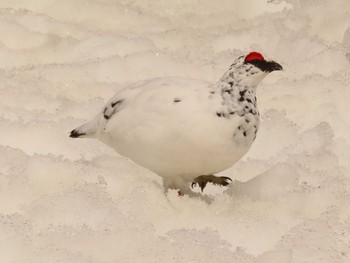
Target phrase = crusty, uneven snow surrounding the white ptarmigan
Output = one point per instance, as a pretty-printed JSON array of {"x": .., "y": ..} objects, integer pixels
[{"x": 65, "y": 200}]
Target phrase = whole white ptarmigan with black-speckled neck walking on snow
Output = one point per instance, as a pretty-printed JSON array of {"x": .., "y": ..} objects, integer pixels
[{"x": 182, "y": 129}]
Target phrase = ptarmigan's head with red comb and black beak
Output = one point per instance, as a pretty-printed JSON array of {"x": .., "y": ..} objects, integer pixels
[{"x": 250, "y": 69}]
